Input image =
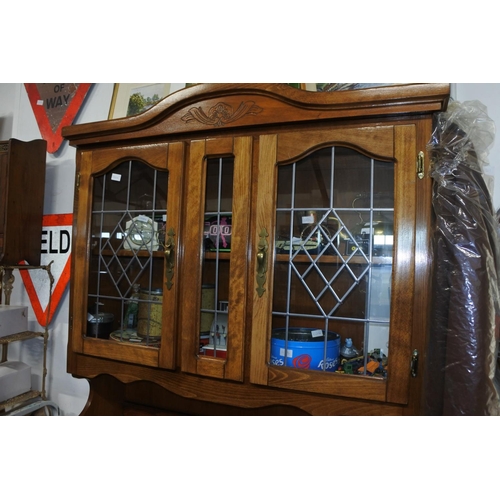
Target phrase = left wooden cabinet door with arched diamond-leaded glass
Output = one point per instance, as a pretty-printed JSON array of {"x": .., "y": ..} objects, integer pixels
[{"x": 129, "y": 307}]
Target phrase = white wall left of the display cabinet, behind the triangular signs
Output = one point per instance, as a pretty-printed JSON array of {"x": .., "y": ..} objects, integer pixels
[{"x": 17, "y": 120}]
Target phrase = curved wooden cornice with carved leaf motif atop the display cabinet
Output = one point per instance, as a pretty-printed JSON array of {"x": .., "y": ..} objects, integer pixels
[{"x": 204, "y": 107}]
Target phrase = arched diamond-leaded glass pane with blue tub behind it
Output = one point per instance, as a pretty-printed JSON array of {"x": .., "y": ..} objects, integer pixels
[{"x": 333, "y": 262}]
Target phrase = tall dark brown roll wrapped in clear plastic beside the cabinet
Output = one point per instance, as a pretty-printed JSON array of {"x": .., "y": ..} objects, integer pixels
[{"x": 461, "y": 363}]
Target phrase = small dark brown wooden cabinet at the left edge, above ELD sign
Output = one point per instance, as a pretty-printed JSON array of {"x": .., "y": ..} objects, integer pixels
[{"x": 22, "y": 186}]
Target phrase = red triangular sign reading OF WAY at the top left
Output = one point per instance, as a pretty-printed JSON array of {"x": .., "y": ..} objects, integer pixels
[{"x": 55, "y": 105}]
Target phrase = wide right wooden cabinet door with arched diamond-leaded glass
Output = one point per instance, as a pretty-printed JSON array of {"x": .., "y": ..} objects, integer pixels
[{"x": 334, "y": 239}]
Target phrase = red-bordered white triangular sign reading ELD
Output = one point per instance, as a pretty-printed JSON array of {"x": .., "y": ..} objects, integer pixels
[{"x": 56, "y": 248}]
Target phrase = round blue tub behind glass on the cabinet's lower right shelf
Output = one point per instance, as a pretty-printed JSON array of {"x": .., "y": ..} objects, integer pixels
[{"x": 305, "y": 349}]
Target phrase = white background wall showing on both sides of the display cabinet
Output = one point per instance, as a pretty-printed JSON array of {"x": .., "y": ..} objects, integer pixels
[{"x": 17, "y": 120}]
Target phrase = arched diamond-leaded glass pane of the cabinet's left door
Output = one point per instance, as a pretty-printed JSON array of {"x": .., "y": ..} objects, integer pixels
[{"x": 126, "y": 264}]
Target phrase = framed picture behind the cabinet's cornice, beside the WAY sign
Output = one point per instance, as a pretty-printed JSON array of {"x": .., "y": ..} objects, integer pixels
[{"x": 134, "y": 98}]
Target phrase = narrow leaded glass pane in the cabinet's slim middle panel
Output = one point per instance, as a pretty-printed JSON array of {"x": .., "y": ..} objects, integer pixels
[{"x": 217, "y": 231}]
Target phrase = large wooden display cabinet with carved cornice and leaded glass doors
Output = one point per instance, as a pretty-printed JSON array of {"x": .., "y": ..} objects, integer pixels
[{"x": 255, "y": 249}]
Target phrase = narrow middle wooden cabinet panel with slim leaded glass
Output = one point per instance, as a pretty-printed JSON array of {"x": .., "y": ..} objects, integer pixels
[{"x": 216, "y": 255}]
